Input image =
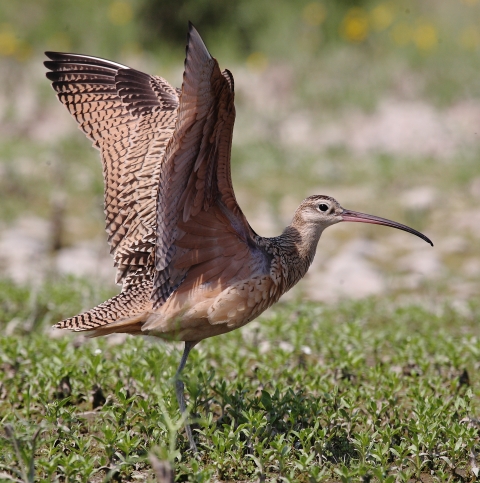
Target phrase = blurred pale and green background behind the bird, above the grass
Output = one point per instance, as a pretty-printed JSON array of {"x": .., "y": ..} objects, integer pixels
[{"x": 376, "y": 103}]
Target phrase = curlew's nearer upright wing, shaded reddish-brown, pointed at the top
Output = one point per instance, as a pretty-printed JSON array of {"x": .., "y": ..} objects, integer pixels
[{"x": 196, "y": 173}]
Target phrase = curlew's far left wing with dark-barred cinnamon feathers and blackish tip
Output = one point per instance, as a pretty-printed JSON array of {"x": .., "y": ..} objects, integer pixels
[{"x": 130, "y": 117}]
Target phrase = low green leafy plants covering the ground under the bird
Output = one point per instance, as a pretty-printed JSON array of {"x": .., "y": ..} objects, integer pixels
[{"x": 359, "y": 390}]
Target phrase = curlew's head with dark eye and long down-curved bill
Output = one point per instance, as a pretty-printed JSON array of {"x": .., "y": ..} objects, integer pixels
[{"x": 323, "y": 211}]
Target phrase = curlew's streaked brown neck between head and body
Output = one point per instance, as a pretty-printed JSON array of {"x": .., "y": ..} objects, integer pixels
[{"x": 298, "y": 244}]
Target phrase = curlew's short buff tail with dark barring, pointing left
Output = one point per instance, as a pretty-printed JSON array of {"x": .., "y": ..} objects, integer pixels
[{"x": 122, "y": 313}]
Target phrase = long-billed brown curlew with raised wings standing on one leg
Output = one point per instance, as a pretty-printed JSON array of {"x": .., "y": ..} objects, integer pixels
[{"x": 190, "y": 264}]
